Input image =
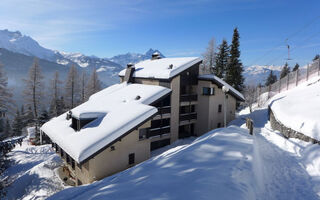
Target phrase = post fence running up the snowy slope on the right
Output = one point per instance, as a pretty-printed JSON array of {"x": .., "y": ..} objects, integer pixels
[{"x": 292, "y": 80}]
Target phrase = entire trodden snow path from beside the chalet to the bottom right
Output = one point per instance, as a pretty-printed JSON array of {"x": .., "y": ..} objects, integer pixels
[{"x": 279, "y": 173}]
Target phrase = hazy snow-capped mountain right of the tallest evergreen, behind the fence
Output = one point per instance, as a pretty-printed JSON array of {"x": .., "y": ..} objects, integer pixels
[{"x": 256, "y": 74}]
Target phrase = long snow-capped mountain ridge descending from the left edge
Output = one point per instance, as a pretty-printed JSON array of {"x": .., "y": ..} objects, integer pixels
[{"x": 16, "y": 42}]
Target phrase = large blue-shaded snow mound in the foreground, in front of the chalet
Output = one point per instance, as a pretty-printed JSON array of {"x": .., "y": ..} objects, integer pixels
[{"x": 208, "y": 168}]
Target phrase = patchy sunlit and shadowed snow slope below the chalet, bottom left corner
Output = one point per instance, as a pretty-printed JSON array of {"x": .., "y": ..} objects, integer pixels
[{"x": 32, "y": 173}]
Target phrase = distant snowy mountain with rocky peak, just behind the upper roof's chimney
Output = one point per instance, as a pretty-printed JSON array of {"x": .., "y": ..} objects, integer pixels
[{"x": 124, "y": 59}]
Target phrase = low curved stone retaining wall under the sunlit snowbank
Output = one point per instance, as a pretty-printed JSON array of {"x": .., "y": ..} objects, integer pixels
[{"x": 288, "y": 132}]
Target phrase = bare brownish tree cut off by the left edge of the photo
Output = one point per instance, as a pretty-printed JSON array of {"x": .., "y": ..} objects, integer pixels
[{"x": 5, "y": 94}]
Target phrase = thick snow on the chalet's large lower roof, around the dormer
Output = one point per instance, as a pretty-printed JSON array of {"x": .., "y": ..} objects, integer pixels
[{"x": 118, "y": 108}]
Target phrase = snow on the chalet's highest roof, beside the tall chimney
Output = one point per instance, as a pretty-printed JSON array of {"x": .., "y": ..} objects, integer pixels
[{"x": 163, "y": 68}]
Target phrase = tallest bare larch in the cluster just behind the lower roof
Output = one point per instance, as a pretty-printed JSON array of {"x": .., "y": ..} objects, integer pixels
[{"x": 72, "y": 88}]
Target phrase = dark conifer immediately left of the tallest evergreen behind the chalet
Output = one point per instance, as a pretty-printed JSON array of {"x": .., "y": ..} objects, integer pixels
[{"x": 222, "y": 59}]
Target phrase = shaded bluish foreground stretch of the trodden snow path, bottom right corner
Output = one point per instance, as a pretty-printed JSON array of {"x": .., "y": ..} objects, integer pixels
[{"x": 279, "y": 174}]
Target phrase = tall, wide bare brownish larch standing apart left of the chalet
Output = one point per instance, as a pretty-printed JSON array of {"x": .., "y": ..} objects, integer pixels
[{"x": 34, "y": 85}]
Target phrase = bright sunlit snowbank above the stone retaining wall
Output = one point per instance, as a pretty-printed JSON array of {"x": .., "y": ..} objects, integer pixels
[{"x": 299, "y": 108}]
